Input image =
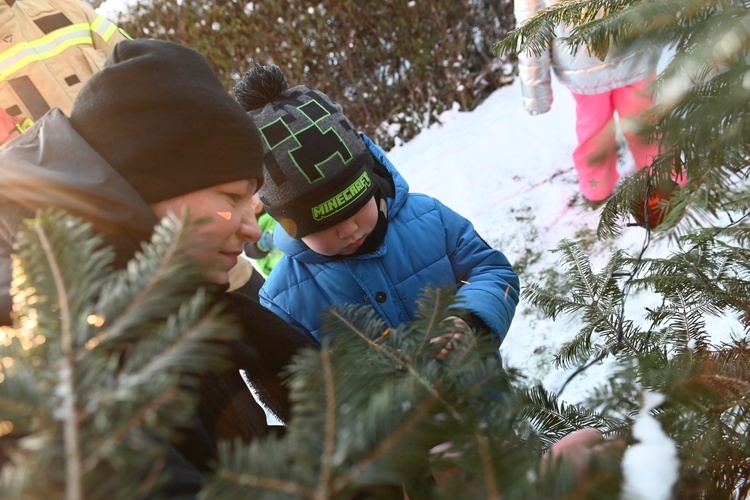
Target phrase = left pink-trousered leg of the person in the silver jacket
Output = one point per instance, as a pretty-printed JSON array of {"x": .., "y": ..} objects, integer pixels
[{"x": 595, "y": 157}]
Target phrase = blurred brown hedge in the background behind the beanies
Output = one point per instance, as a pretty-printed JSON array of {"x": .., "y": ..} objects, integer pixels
[{"x": 394, "y": 66}]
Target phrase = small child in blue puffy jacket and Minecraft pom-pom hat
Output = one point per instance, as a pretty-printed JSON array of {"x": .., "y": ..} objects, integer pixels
[{"x": 350, "y": 230}]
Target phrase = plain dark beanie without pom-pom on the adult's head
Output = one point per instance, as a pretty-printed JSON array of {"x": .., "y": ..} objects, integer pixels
[{"x": 158, "y": 114}]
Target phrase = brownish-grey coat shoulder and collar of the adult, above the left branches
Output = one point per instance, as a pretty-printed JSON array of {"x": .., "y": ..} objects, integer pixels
[{"x": 52, "y": 166}]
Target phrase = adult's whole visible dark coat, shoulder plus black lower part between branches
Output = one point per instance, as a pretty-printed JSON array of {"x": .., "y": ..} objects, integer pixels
[{"x": 51, "y": 165}]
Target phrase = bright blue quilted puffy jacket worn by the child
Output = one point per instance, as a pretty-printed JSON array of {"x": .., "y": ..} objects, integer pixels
[{"x": 426, "y": 243}]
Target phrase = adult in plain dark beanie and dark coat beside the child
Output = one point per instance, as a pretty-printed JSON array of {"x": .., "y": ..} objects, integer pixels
[{"x": 155, "y": 131}]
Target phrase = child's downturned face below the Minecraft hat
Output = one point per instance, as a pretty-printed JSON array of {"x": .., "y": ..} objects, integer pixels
[{"x": 347, "y": 236}]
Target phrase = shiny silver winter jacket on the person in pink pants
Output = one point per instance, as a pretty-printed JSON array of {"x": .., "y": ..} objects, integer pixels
[{"x": 580, "y": 72}]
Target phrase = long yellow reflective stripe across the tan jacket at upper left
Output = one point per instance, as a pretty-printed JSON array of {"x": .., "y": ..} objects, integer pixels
[{"x": 50, "y": 45}]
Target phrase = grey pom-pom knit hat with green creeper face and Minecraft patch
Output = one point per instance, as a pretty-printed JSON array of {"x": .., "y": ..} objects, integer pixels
[{"x": 318, "y": 171}]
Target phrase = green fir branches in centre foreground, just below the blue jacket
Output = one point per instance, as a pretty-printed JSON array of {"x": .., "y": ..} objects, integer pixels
[{"x": 391, "y": 402}]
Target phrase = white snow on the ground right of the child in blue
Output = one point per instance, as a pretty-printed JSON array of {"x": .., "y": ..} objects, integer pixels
[{"x": 511, "y": 174}]
